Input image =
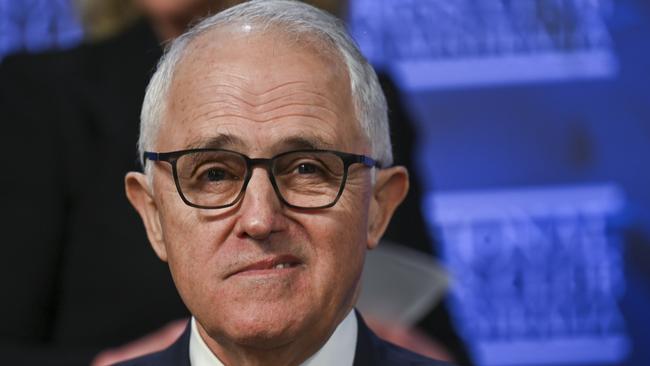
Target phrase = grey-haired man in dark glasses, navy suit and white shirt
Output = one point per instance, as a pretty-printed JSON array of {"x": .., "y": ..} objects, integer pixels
[{"x": 267, "y": 176}]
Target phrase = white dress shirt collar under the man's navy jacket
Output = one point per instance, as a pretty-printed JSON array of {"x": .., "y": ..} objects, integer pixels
[{"x": 338, "y": 350}]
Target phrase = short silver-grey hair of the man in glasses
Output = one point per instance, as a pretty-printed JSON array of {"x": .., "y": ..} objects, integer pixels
[{"x": 296, "y": 19}]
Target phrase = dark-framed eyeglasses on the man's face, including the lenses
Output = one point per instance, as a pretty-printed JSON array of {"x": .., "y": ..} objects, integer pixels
[{"x": 216, "y": 178}]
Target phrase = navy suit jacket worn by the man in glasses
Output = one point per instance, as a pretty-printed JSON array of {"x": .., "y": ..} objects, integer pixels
[{"x": 370, "y": 351}]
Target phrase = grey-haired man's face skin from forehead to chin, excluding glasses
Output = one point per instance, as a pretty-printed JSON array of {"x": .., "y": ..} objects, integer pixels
[{"x": 260, "y": 96}]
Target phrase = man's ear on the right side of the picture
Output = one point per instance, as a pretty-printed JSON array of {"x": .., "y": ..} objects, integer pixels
[{"x": 391, "y": 186}]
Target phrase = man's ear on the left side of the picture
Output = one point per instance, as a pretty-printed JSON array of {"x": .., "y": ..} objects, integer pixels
[{"x": 140, "y": 196}]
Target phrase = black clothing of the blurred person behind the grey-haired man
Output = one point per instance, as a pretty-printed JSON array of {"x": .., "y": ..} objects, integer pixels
[{"x": 77, "y": 270}]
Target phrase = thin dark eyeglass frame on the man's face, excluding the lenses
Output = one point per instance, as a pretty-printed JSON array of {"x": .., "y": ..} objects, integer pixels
[{"x": 173, "y": 156}]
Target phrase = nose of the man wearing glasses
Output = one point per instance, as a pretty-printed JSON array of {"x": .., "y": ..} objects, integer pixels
[{"x": 259, "y": 213}]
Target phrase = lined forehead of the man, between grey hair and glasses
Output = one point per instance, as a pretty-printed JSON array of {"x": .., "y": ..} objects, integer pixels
[{"x": 261, "y": 87}]
